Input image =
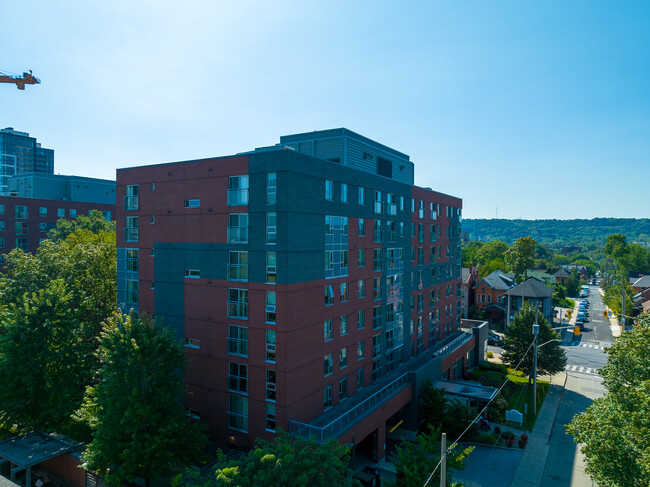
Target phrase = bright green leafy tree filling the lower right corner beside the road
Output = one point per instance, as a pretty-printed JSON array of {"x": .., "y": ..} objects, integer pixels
[{"x": 614, "y": 430}]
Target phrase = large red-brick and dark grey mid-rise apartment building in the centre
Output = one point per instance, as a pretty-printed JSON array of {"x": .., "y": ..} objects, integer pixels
[{"x": 315, "y": 286}]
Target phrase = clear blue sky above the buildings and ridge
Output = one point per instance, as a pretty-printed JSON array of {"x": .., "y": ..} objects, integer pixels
[{"x": 540, "y": 109}]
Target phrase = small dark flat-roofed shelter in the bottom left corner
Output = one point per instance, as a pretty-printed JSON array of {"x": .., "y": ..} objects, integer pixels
[{"x": 24, "y": 452}]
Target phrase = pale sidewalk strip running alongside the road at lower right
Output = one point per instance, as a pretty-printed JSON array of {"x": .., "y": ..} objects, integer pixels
[{"x": 531, "y": 467}]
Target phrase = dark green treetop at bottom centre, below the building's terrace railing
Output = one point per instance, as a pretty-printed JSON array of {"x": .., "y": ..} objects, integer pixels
[{"x": 288, "y": 461}]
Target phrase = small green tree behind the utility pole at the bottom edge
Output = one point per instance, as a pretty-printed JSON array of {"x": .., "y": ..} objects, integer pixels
[{"x": 414, "y": 462}]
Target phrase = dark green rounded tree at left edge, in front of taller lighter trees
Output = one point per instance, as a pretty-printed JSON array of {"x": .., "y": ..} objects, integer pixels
[{"x": 42, "y": 361}]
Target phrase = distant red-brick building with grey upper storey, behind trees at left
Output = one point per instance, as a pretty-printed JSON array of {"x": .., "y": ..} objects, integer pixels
[{"x": 37, "y": 201}]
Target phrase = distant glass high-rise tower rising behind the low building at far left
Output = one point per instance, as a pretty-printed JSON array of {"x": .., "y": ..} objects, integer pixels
[{"x": 19, "y": 154}]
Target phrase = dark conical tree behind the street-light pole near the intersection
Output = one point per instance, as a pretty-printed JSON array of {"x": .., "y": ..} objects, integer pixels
[{"x": 551, "y": 359}]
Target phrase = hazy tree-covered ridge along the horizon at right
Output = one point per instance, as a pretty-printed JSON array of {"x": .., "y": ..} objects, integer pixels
[{"x": 559, "y": 232}]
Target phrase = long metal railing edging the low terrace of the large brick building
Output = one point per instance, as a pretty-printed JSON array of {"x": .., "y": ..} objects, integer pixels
[{"x": 353, "y": 415}]
